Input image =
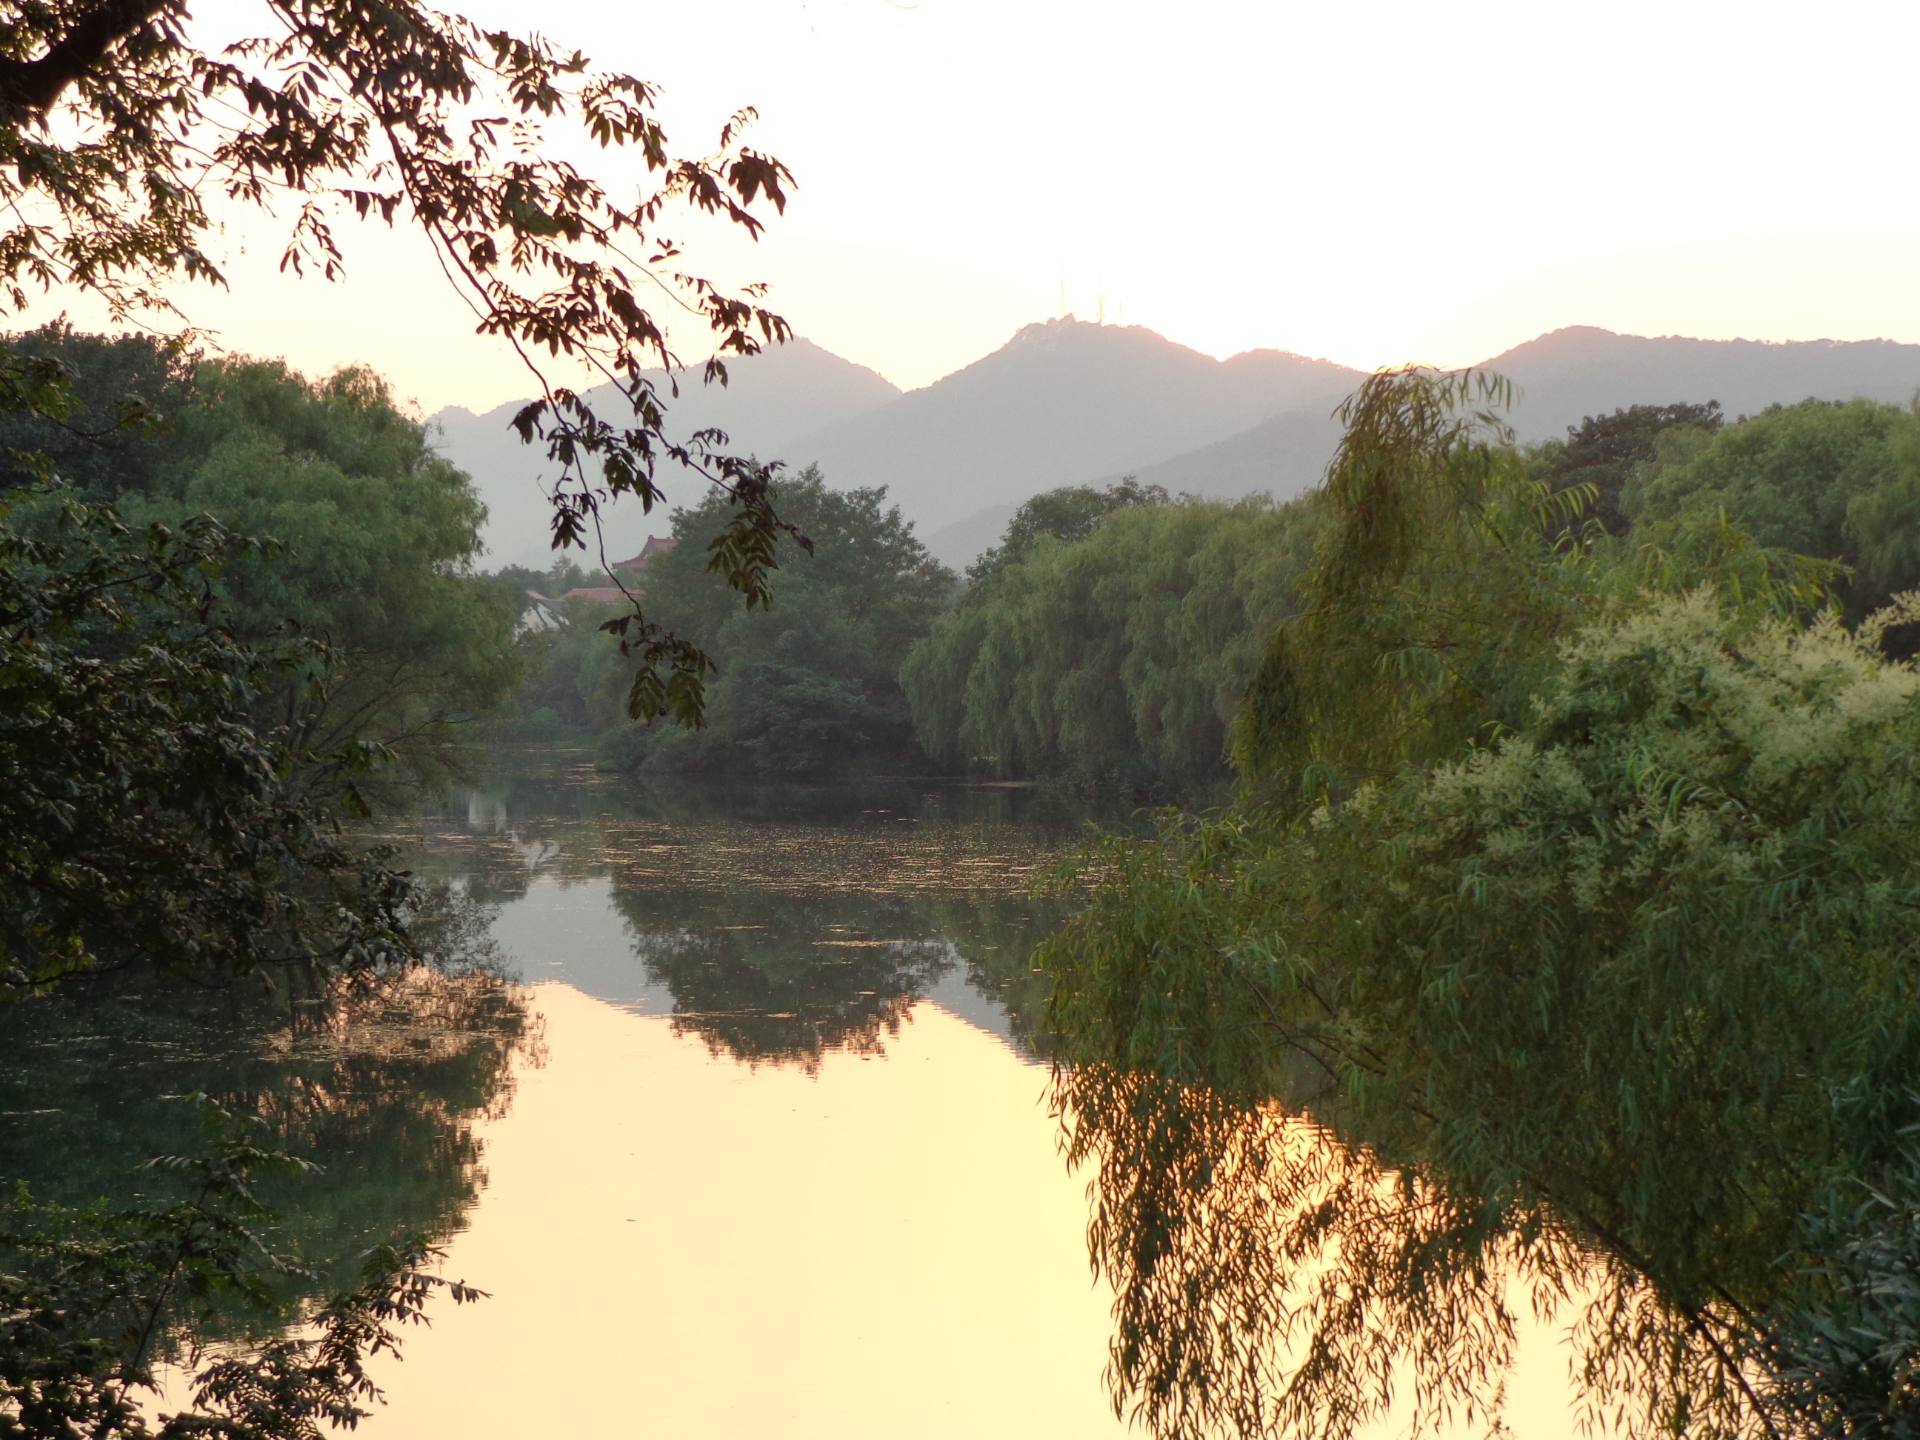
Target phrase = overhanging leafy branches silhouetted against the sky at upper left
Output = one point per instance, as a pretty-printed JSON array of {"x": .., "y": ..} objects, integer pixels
[{"x": 114, "y": 128}]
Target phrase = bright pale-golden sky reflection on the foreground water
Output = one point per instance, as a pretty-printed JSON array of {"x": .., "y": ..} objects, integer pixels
[{"x": 681, "y": 1247}]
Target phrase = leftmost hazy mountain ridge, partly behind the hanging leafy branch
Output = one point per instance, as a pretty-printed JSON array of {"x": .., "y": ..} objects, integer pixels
[{"x": 769, "y": 398}]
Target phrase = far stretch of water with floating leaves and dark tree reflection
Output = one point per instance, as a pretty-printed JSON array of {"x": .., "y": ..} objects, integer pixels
[{"x": 773, "y": 924}]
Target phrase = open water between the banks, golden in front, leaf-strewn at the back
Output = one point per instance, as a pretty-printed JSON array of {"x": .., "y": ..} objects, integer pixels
[{"x": 788, "y": 1168}]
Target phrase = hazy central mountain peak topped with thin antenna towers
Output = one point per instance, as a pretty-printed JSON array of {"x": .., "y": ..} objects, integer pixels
[{"x": 1059, "y": 404}]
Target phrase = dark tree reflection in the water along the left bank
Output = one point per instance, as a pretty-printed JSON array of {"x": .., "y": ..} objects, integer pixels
[{"x": 383, "y": 1093}]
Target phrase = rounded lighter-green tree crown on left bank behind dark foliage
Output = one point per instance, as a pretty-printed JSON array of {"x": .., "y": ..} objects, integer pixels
[{"x": 379, "y": 540}]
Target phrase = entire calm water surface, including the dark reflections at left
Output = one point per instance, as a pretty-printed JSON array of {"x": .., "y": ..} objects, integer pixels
[{"x": 769, "y": 1157}]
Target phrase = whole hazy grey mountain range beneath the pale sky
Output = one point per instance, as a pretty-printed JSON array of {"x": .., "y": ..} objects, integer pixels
[{"x": 1067, "y": 402}]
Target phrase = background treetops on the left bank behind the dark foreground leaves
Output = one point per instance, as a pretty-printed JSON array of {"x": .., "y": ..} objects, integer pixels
[{"x": 377, "y": 533}]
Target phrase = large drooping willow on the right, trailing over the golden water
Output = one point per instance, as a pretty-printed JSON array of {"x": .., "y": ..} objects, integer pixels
[{"x": 1556, "y": 957}]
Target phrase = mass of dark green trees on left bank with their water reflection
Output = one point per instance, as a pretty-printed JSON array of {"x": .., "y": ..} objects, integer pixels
[{"x": 193, "y": 717}]
